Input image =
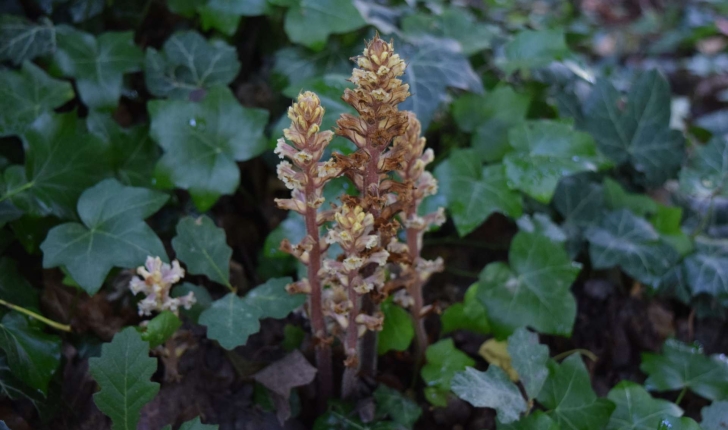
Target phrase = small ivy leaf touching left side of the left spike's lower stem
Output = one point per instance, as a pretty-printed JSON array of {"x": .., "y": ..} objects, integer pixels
[{"x": 272, "y": 299}]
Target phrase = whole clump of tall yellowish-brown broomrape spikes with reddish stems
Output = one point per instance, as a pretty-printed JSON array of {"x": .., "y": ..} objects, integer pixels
[{"x": 379, "y": 231}]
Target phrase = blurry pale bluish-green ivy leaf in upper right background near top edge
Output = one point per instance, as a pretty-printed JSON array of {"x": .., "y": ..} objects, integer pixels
[{"x": 534, "y": 49}]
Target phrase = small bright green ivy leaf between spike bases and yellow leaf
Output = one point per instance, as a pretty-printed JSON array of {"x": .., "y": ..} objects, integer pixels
[{"x": 443, "y": 362}]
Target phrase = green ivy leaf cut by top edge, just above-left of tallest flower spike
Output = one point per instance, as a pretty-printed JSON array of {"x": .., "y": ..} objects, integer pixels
[{"x": 310, "y": 22}]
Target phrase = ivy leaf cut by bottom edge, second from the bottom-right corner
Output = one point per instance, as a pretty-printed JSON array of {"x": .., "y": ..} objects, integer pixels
[{"x": 636, "y": 409}]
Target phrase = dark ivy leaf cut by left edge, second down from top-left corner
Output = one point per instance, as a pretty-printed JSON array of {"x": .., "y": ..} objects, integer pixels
[{"x": 26, "y": 95}]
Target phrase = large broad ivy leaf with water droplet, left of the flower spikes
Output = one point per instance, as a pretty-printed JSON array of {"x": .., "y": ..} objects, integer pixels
[{"x": 202, "y": 142}]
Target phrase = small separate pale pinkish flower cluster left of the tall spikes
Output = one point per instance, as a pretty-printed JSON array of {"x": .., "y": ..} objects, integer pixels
[{"x": 155, "y": 281}]
